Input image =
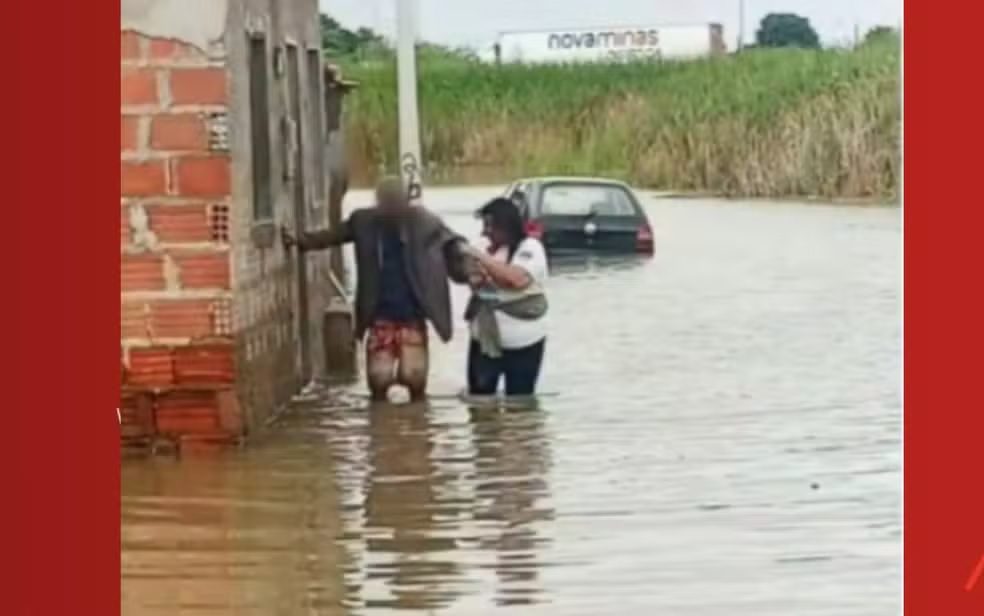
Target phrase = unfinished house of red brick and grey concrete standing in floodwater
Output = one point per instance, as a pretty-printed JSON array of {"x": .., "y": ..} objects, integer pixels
[{"x": 224, "y": 138}]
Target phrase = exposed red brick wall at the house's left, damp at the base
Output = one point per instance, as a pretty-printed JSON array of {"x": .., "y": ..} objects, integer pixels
[{"x": 176, "y": 288}]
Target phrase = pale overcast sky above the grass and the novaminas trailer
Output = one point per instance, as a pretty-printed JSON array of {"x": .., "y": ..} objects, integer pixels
[{"x": 475, "y": 23}]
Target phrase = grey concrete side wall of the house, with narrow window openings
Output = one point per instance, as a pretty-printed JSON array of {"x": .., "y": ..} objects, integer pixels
[{"x": 268, "y": 315}]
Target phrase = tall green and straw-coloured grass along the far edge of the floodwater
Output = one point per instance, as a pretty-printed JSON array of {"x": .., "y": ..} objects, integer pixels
[{"x": 765, "y": 123}]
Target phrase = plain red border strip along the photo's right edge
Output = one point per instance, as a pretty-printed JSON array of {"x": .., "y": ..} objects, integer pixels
[{"x": 944, "y": 310}]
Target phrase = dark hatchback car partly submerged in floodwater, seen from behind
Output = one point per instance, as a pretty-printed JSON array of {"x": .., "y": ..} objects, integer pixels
[{"x": 583, "y": 215}]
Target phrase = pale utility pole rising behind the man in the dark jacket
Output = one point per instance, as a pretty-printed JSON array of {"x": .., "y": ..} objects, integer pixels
[{"x": 406, "y": 68}]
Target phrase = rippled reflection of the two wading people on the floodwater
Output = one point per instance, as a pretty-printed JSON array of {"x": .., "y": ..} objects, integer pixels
[{"x": 440, "y": 493}]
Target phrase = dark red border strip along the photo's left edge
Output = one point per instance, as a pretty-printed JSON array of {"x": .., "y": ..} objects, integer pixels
[{"x": 61, "y": 504}]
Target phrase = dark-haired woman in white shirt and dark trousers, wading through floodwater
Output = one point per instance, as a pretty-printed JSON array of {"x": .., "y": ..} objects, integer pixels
[{"x": 507, "y": 314}]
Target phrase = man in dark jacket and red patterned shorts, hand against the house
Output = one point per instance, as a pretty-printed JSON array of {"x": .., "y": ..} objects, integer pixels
[{"x": 404, "y": 257}]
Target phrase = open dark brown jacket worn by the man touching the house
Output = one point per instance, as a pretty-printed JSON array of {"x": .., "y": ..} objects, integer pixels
[{"x": 432, "y": 255}]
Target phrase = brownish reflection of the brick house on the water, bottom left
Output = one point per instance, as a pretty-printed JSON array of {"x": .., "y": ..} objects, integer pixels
[{"x": 249, "y": 533}]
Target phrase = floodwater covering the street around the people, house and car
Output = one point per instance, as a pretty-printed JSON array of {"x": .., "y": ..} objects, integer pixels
[{"x": 719, "y": 435}]
